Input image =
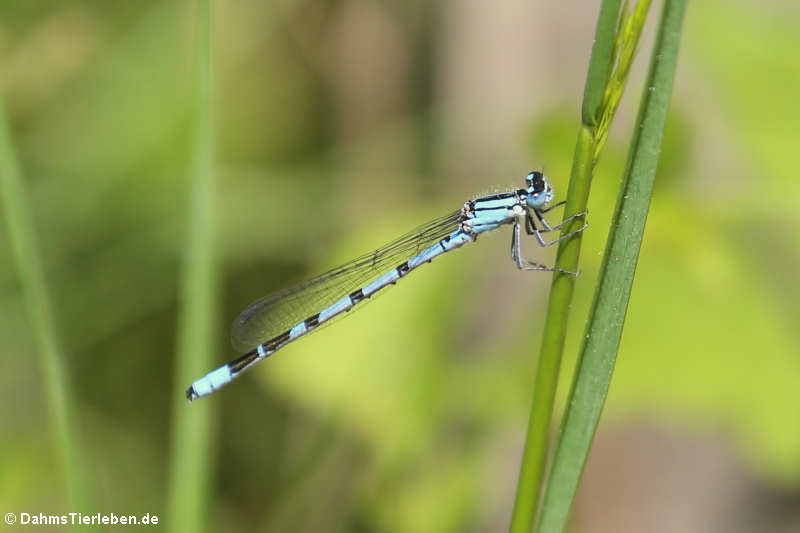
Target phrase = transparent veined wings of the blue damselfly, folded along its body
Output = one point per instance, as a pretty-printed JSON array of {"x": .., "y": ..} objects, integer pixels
[{"x": 272, "y": 315}]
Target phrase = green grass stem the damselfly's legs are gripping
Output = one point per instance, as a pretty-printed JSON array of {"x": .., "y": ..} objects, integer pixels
[{"x": 616, "y": 38}]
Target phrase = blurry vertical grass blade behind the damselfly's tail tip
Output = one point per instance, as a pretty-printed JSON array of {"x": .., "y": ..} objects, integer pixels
[{"x": 191, "y": 451}]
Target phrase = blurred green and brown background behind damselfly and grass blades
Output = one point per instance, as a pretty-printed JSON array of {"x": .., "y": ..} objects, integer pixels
[{"x": 341, "y": 125}]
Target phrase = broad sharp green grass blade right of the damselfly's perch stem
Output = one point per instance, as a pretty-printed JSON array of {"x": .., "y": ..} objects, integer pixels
[{"x": 607, "y": 315}]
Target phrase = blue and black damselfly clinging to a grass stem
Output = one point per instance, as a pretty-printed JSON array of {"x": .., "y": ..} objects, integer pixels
[{"x": 271, "y": 323}]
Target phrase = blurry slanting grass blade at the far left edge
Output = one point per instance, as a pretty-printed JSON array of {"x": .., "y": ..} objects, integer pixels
[{"x": 25, "y": 251}]
